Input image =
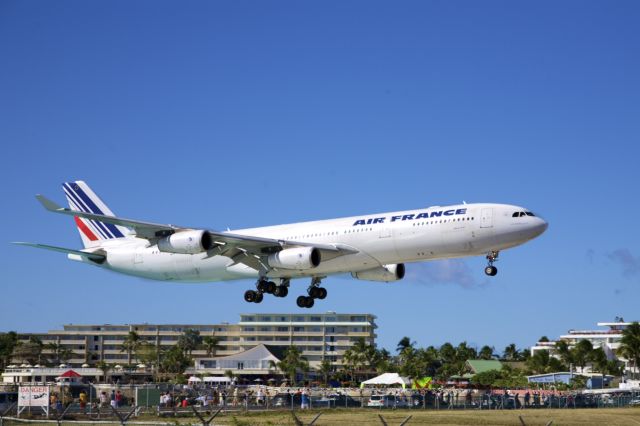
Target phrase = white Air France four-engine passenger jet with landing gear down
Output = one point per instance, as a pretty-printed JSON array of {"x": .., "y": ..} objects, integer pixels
[{"x": 372, "y": 247}]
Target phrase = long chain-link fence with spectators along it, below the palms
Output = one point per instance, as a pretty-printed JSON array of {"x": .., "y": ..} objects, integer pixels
[{"x": 175, "y": 401}]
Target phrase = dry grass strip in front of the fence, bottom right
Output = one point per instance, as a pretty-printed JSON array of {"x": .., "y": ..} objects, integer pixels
[{"x": 606, "y": 416}]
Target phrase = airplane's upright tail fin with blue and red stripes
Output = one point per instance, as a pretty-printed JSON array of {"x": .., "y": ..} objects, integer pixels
[{"x": 92, "y": 232}]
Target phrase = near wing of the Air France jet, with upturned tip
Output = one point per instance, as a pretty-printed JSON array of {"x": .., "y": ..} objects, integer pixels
[{"x": 249, "y": 250}]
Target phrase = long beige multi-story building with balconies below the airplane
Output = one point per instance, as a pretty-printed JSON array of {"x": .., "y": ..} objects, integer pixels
[{"x": 318, "y": 336}]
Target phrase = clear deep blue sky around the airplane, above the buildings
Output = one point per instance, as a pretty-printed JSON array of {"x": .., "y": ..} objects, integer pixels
[{"x": 248, "y": 113}]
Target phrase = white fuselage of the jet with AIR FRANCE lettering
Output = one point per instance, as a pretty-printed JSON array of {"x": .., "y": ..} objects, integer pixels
[{"x": 378, "y": 239}]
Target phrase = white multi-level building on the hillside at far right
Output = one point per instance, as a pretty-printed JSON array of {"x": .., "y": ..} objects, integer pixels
[{"x": 607, "y": 339}]
